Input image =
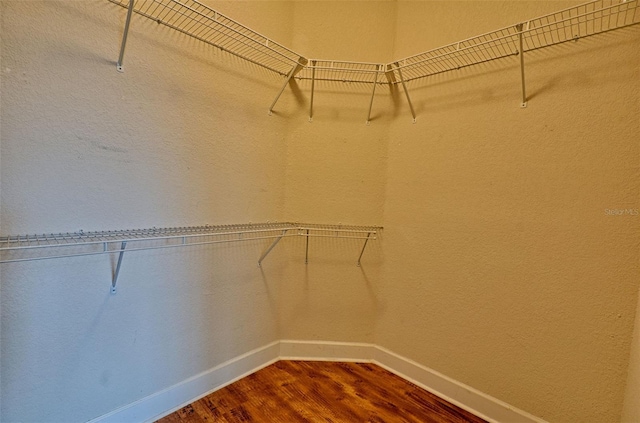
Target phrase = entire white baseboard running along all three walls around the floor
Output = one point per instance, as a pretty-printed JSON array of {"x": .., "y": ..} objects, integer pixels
[{"x": 173, "y": 398}]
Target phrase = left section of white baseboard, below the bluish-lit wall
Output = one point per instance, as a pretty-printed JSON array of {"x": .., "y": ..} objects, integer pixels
[{"x": 162, "y": 403}]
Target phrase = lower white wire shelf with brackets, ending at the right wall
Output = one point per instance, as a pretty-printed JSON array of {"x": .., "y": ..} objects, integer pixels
[{"x": 22, "y": 248}]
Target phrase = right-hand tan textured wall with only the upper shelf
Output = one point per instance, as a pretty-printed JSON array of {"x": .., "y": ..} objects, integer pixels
[{"x": 501, "y": 267}]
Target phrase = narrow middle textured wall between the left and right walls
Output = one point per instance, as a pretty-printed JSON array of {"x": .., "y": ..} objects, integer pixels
[{"x": 336, "y": 170}]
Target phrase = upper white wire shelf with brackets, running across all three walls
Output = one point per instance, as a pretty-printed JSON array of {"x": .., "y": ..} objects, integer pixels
[{"x": 207, "y": 25}]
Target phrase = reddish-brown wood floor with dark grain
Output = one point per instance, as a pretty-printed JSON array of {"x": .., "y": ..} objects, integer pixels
[{"x": 314, "y": 391}]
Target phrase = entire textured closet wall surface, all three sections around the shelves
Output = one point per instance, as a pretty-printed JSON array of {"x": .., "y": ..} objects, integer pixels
[{"x": 499, "y": 266}]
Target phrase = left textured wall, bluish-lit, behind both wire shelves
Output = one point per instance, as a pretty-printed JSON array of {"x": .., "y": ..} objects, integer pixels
[{"x": 182, "y": 137}]
